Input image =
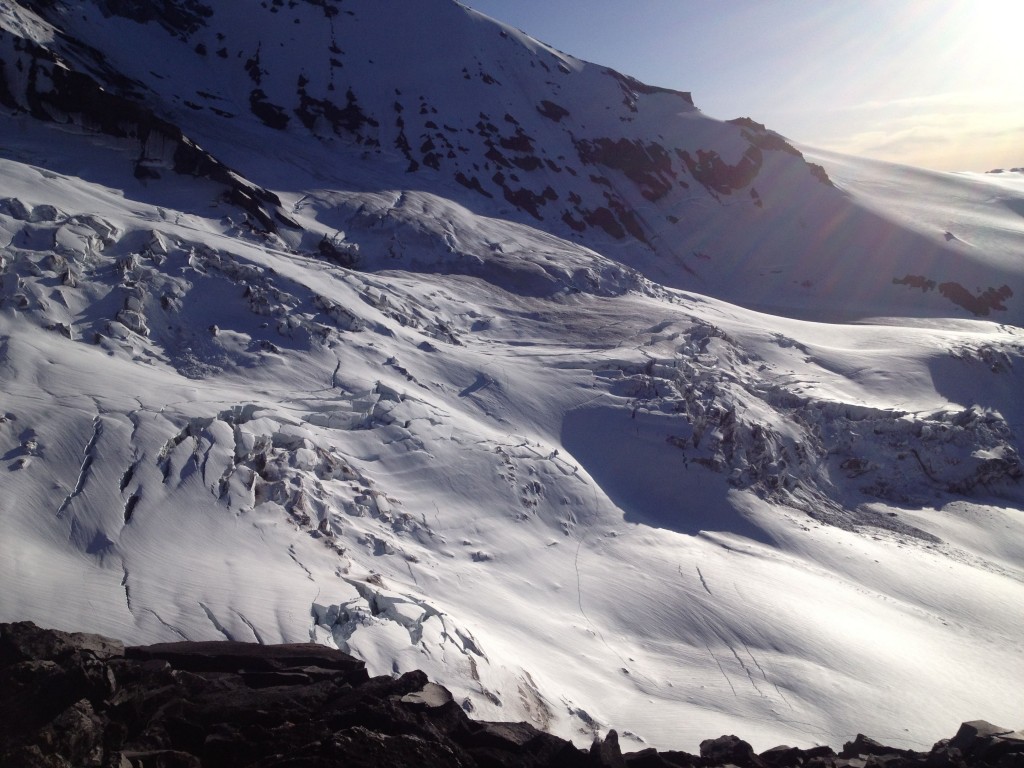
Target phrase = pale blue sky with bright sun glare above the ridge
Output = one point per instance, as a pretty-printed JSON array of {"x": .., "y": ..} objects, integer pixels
[{"x": 933, "y": 83}]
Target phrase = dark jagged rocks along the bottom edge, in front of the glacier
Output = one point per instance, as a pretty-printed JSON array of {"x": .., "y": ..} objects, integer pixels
[{"x": 79, "y": 700}]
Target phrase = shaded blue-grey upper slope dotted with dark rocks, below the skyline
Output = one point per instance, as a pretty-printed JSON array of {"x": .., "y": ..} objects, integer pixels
[{"x": 508, "y": 126}]
